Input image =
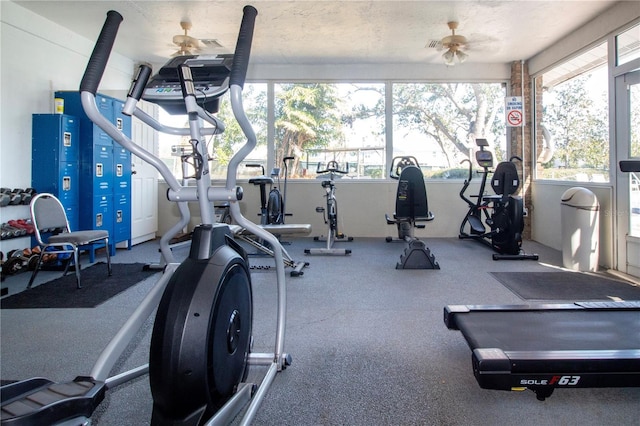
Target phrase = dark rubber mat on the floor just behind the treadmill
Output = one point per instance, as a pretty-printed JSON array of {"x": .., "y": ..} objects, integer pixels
[{"x": 566, "y": 286}]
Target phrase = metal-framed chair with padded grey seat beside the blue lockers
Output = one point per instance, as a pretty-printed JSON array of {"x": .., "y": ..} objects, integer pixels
[{"x": 54, "y": 235}]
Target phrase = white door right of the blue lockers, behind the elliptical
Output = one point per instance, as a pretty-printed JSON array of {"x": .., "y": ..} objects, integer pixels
[{"x": 144, "y": 180}]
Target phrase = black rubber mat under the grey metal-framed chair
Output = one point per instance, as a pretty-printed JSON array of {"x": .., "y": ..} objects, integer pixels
[{"x": 62, "y": 292}]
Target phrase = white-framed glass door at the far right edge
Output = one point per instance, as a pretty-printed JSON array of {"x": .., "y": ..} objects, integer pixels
[{"x": 627, "y": 88}]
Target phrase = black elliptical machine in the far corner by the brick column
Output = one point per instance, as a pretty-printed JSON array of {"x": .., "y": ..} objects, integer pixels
[{"x": 502, "y": 212}]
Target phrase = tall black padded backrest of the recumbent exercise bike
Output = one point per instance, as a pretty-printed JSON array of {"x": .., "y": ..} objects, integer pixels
[{"x": 411, "y": 196}]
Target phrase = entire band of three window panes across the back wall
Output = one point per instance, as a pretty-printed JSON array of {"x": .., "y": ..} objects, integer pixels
[{"x": 346, "y": 122}]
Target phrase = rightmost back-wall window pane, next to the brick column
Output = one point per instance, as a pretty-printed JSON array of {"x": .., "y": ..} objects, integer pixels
[{"x": 438, "y": 124}]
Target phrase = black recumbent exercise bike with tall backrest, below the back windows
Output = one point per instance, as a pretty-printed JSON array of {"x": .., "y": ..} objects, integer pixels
[{"x": 412, "y": 208}]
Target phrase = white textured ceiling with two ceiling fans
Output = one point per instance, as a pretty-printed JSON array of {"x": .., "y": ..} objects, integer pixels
[{"x": 338, "y": 32}]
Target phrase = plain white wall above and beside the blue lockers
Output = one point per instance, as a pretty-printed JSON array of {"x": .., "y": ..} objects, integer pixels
[{"x": 38, "y": 58}]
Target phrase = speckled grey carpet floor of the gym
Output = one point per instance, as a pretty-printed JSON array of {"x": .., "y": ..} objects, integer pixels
[{"x": 368, "y": 342}]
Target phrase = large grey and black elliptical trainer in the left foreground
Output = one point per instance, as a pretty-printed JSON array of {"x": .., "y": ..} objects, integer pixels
[{"x": 201, "y": 340}]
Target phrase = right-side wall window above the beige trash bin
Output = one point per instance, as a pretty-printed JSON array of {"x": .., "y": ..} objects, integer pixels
[{"x": 575, "y": 119}]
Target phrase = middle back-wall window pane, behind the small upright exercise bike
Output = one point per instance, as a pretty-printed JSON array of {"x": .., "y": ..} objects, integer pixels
[{"x": 320, "y": 122}]
